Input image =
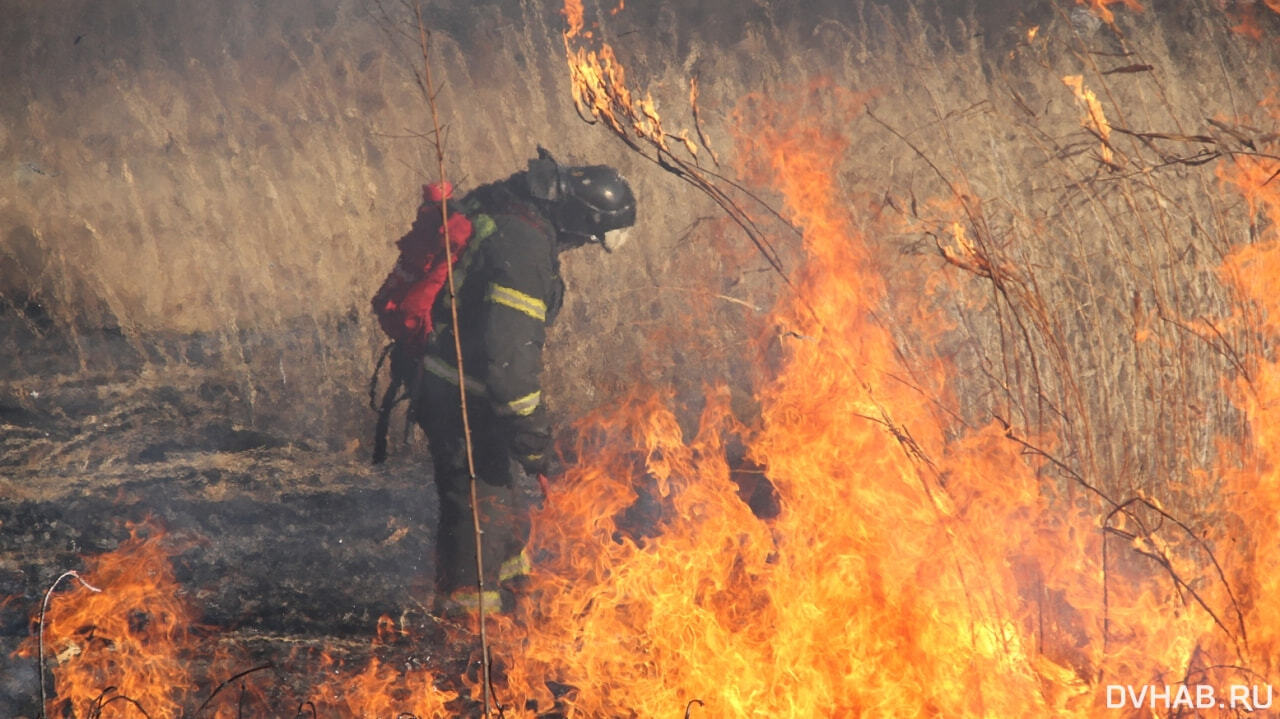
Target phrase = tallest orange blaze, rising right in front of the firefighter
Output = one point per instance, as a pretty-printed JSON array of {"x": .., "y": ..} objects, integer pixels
[{"x": 886, "y": 583}]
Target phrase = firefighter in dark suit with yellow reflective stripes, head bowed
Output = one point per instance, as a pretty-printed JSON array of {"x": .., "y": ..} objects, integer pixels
[{"x": 509, "y": 291}]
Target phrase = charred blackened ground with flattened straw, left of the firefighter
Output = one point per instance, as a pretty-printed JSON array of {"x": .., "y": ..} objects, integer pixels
[{"x": 281, "y": 542}]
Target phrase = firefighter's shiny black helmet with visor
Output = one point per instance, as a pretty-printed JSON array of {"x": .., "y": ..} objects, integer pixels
[{"x": 587, "y": 201}]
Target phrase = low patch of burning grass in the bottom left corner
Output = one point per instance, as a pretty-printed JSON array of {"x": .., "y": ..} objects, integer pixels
[{"x": 135, "y": 648}]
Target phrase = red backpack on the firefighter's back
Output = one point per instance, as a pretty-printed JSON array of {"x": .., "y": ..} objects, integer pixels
[{"x": 404, "y": 304}]
